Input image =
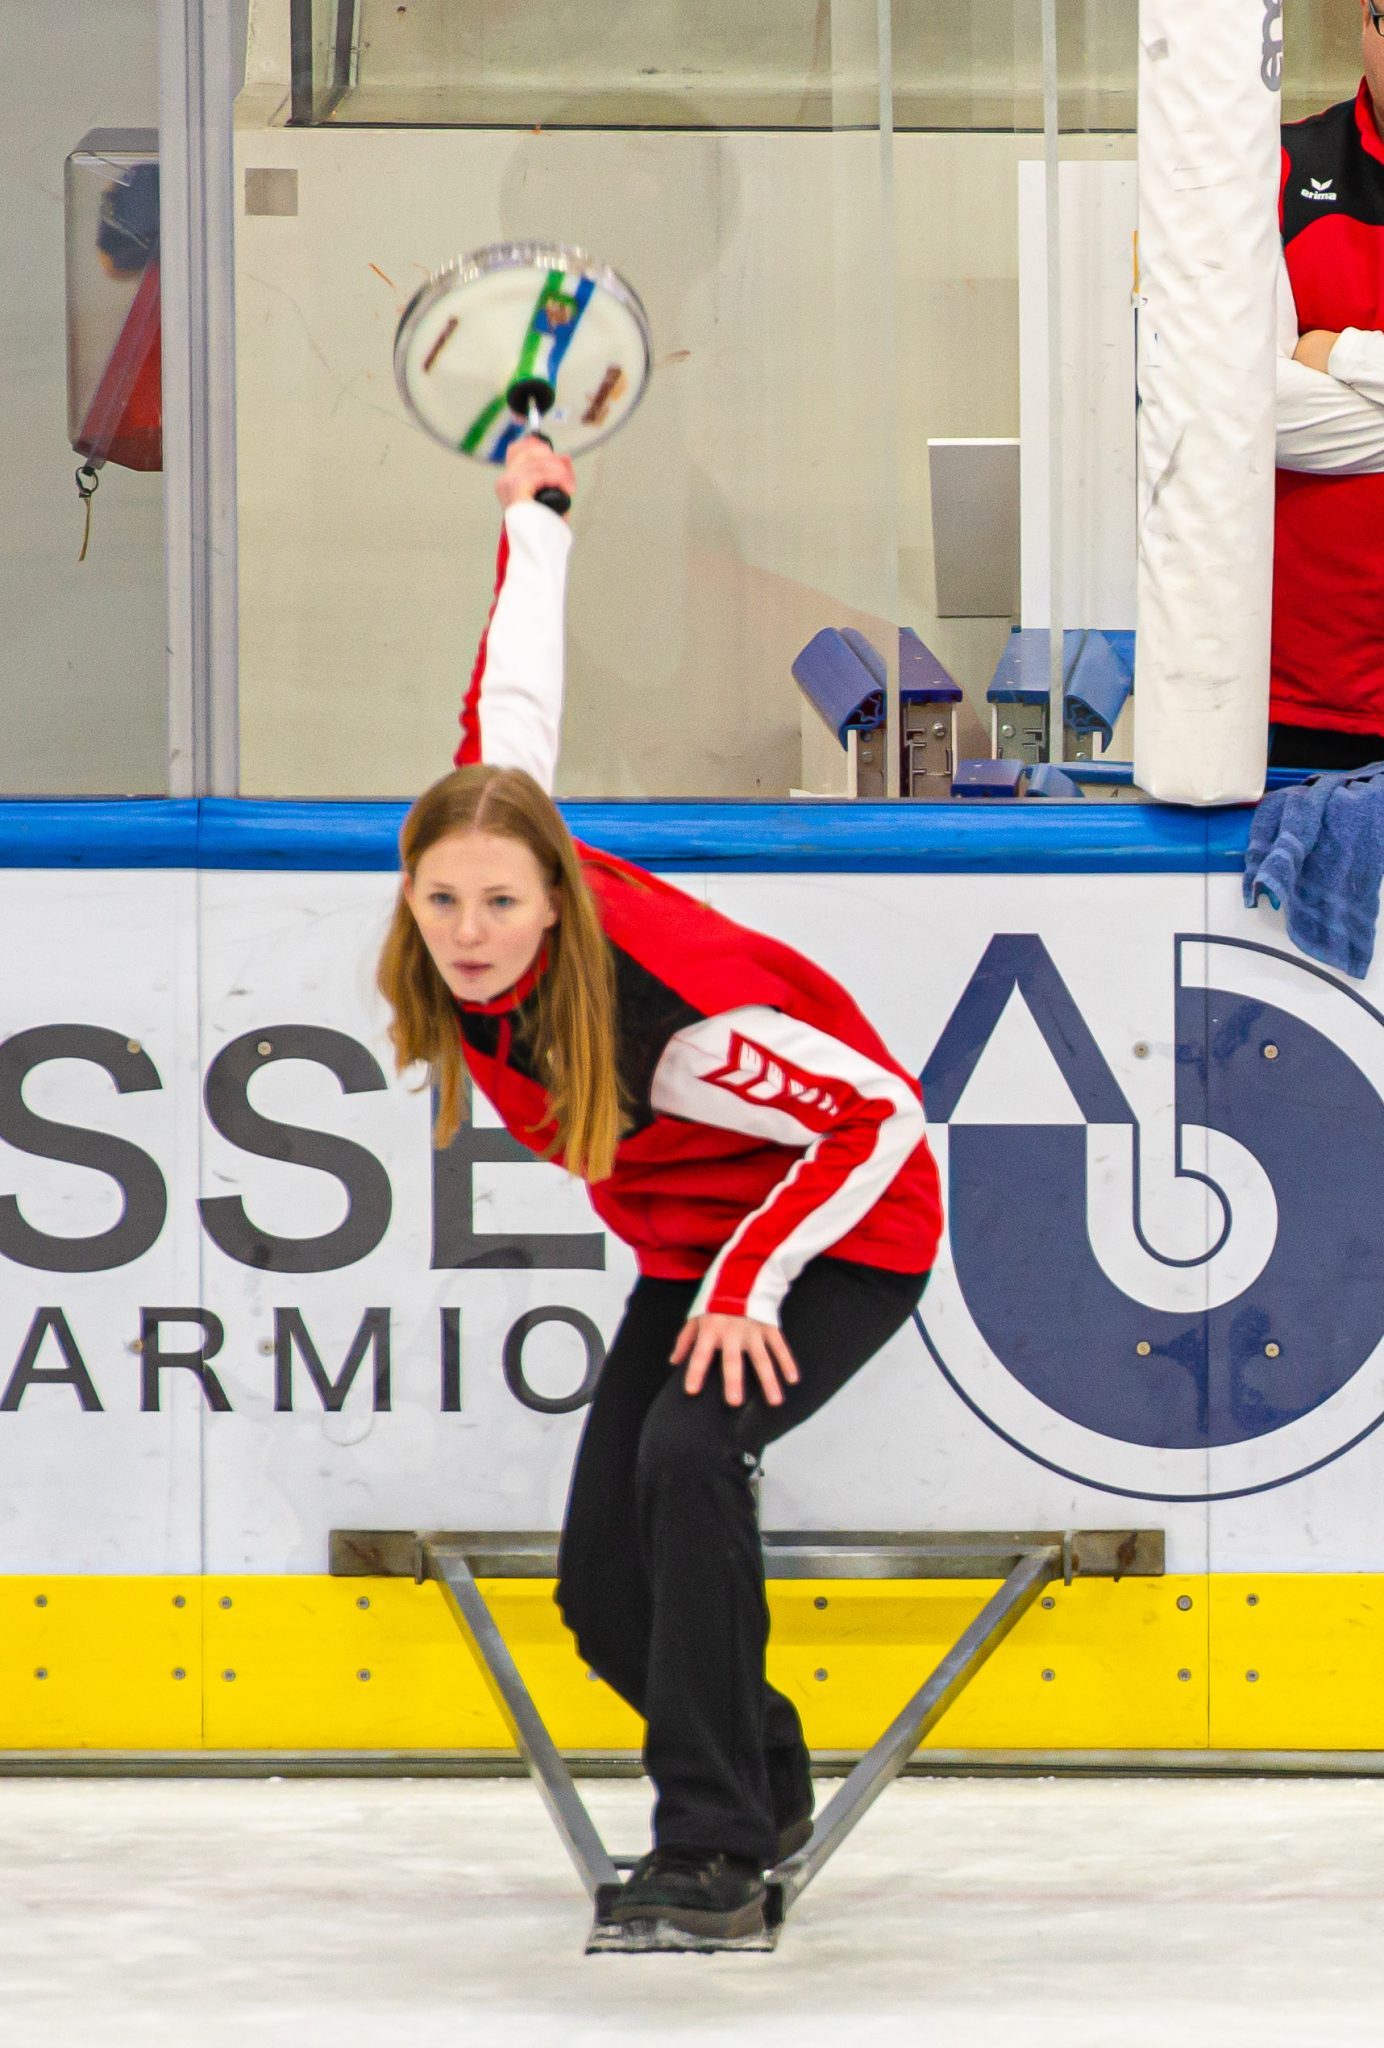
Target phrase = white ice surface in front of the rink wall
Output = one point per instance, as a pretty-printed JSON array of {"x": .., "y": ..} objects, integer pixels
[{"x": 992, "y": 1914}]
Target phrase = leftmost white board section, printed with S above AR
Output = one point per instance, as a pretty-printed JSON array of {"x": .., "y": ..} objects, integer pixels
[{"x": 118, "y": 1490}]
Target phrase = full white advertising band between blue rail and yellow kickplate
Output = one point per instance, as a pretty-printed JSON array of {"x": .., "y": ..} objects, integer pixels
[{"x": 1078, "y": 1228}]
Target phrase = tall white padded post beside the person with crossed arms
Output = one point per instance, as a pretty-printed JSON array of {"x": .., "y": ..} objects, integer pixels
[{"x": 1209, "y": 155}]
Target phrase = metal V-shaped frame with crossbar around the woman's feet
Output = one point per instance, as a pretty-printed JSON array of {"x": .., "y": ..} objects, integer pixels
[{"x": 1025, "y": 1562}]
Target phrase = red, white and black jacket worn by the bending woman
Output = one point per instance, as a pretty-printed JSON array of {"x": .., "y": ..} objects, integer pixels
[{"x": 769, "y": 1121}]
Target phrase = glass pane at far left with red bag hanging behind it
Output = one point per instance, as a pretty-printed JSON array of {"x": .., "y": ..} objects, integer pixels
[{"x": 81, "y": 505}]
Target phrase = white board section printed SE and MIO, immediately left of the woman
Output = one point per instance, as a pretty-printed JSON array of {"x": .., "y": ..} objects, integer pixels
[{"x": 302, "y": 949}]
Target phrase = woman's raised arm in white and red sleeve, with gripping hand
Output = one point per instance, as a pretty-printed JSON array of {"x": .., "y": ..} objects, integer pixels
[{"x": 515, "y": 703}]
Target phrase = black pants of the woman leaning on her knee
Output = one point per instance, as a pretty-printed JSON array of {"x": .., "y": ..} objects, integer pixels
[{"x": 660, "y": 1566}]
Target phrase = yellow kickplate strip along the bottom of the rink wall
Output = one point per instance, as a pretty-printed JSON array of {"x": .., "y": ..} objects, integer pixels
[{"x": 380, "y": 1664}]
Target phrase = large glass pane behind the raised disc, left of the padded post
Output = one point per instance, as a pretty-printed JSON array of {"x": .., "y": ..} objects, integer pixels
[{"x": 838, "y": 222}]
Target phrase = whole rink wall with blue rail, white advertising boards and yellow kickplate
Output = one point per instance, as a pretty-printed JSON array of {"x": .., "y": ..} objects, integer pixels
[{"x": 243, "y": 1304}]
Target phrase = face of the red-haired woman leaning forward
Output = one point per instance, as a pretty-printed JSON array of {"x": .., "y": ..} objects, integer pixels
[{"x": 482, "y": 906}]
